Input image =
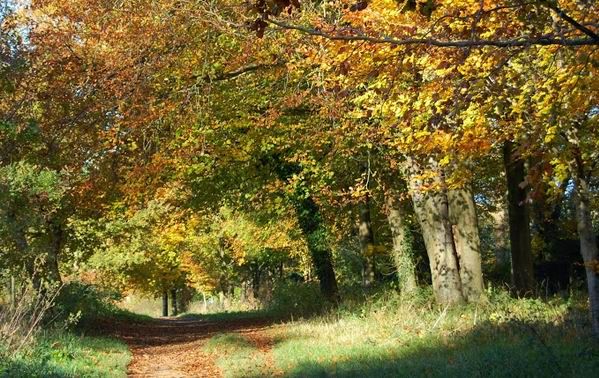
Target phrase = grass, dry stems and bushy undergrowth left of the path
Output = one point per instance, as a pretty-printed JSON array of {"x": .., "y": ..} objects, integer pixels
[{"x": 50, "y": 342}]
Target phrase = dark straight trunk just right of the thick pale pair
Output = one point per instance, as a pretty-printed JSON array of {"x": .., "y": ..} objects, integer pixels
[{"x": 519, "y": 222}]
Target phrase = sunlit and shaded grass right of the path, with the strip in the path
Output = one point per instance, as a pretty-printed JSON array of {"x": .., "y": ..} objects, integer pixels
[{"x": 392, "y": 337}]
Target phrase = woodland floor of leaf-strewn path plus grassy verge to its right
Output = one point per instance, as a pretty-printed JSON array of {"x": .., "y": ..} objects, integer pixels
[{"x": 388, "y": 337}]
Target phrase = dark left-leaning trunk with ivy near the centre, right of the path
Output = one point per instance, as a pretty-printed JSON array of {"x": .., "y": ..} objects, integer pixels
[{"x": 310, "y": 222}]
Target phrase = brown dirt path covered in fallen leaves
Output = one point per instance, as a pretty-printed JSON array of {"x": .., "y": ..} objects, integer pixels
[{"x": 173, "y": 347}]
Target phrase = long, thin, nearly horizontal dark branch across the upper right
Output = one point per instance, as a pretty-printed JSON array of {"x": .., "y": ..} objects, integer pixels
[{"x": 478, "y": 43}]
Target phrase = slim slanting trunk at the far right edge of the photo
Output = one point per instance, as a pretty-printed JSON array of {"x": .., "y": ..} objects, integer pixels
[{"x": 588, "y": 248}]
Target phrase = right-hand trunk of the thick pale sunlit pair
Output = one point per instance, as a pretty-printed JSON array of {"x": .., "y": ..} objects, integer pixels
[{"x": 462, "y": 213}]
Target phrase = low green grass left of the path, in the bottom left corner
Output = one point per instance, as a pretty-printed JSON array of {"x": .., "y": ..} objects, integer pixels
[{"x": 64, "y": 354}]
